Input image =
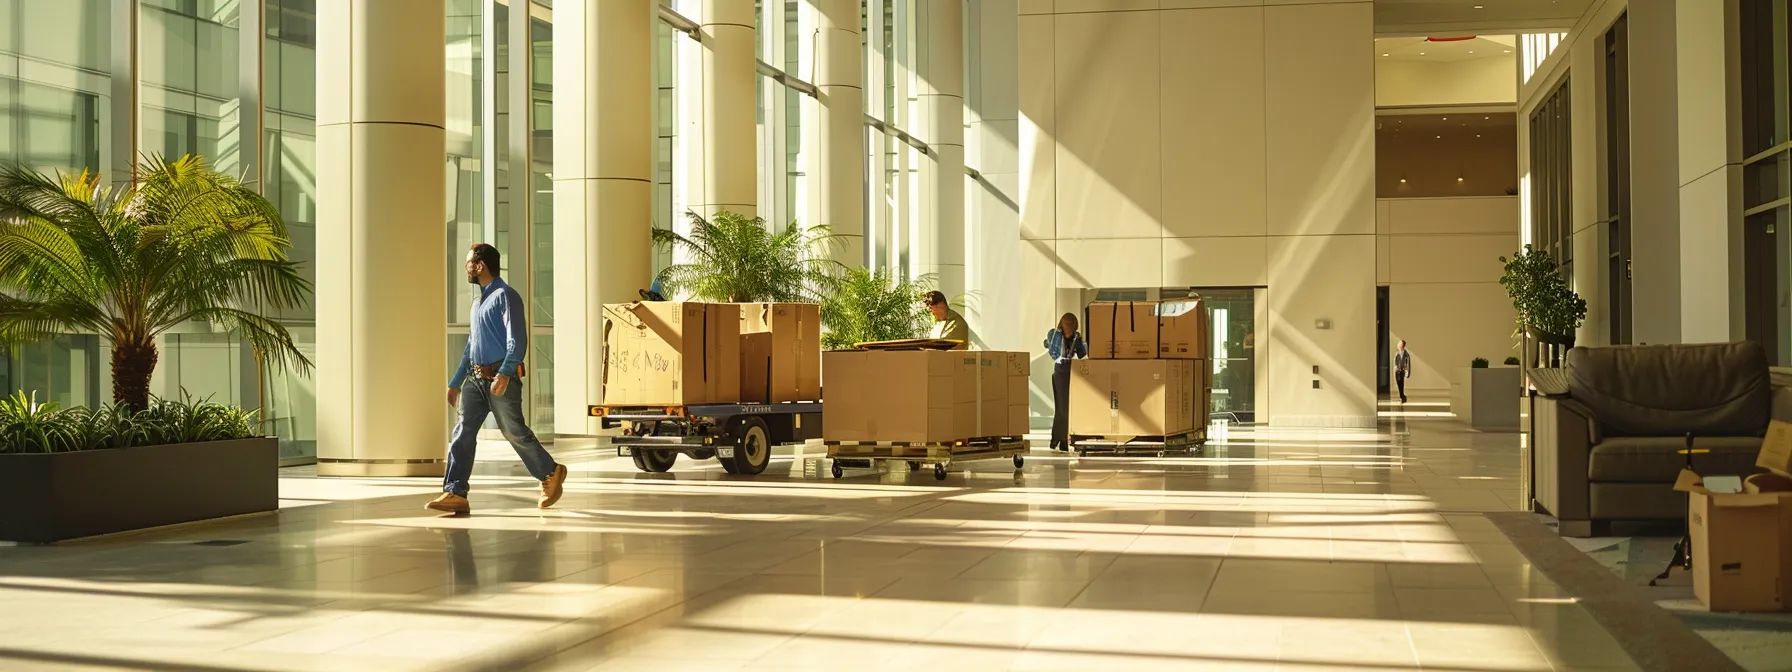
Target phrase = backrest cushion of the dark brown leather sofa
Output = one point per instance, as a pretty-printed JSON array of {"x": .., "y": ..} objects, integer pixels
[{"x": 1666, "y": 392}]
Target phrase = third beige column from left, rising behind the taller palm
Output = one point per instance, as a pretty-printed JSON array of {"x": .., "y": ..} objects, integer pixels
[{"x": 730, "y": 76}]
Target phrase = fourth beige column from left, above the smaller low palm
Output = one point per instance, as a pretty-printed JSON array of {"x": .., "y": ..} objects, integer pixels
[{"x": 838, "y": 139}]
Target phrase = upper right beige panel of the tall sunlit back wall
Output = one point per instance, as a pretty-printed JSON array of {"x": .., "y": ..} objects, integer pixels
[{"x": 1320, "y": 76}]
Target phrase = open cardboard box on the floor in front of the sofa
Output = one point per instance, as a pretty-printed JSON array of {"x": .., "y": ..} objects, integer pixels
[{"x": 1741, "y": 544}]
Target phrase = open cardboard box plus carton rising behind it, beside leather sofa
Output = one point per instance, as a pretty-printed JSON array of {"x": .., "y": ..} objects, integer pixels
[{"x": 1743, "y": 531}]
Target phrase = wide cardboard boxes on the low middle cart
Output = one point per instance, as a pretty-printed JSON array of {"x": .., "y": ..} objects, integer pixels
[{"x": 924, "y": 395}]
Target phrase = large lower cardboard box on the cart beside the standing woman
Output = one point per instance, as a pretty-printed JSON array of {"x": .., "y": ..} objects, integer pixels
[{"x": 1132, "y": 397}]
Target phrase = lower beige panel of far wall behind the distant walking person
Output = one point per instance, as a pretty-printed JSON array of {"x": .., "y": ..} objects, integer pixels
[{"x": 1447, "y": 327}]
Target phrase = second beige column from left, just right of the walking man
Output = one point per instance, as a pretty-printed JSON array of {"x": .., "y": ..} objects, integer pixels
[{"x": 603, "y": 185}]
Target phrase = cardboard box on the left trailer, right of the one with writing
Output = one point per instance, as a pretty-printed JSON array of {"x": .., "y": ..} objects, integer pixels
[{"x": 780, "y": 352}]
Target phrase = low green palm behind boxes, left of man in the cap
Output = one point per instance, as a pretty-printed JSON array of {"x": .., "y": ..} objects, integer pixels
[{"x": 875, "y": 307}]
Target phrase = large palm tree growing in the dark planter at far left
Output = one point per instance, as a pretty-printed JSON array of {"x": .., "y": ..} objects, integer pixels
[{"x": 180, "y": 245}]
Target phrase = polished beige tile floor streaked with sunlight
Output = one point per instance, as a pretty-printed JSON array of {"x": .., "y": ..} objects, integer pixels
[{"x": 1275, "y": 551}]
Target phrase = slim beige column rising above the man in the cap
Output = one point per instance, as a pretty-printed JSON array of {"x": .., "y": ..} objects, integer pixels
[{"x": 942, "y": 126}]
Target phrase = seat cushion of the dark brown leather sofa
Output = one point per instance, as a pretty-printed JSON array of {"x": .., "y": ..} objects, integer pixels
[{"x": 1657, "y": 461}]
